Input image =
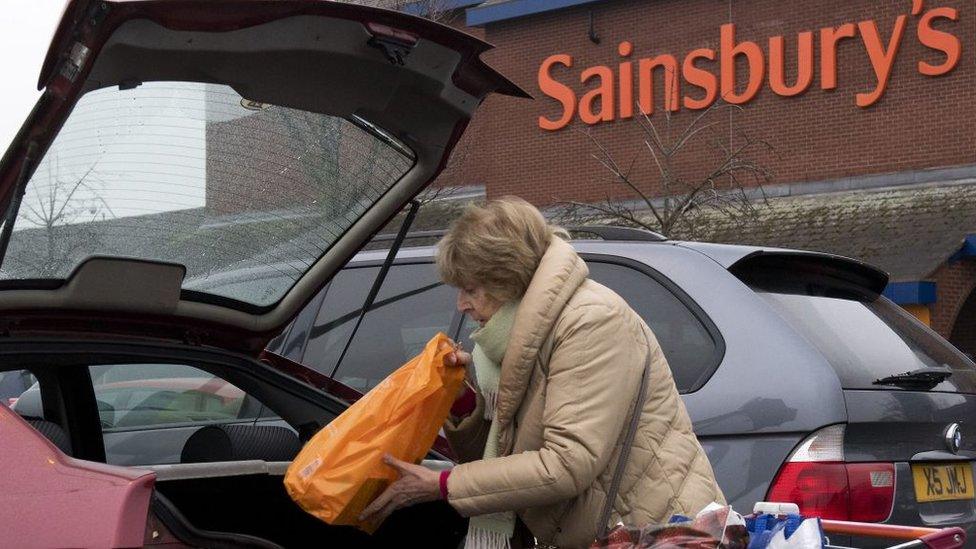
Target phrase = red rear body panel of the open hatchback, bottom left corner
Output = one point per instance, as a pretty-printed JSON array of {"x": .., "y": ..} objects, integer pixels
[{"x": 48, "y": 499}]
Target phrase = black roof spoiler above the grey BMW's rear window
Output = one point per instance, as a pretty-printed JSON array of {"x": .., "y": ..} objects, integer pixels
[{"x": 810, "y": 273}]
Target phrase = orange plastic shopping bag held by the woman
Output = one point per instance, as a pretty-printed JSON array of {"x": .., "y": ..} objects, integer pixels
[{"x": 340, "y": 470}]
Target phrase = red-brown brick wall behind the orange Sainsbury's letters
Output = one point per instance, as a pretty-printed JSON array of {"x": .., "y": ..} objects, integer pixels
[{"x": 921, "y": 121}]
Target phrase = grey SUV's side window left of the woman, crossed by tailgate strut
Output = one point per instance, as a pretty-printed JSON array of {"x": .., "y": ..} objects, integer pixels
[{"x": 411, "y": 307}]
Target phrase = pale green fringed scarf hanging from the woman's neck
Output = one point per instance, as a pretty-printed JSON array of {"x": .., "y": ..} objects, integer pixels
[{"x": 492, "y": 531}]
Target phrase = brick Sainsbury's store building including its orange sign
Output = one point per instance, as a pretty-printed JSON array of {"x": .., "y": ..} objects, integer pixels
[{"x": 897, "y": 109}]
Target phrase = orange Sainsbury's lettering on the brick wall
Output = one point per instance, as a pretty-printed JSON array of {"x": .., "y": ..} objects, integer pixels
[{"x": 613, "y": 94}]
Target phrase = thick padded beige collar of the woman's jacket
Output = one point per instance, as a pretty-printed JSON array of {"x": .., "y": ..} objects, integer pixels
[{"x": 559, "y": 275}]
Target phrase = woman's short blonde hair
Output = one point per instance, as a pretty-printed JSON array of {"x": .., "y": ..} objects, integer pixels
[{"x": 496, "y": 245}]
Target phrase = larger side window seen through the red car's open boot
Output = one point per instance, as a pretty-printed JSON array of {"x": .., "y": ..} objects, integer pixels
[{"x": 148, "y": 411}]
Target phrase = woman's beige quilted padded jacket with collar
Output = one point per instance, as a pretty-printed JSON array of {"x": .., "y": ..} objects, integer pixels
[{"x": 568, "y": 387}]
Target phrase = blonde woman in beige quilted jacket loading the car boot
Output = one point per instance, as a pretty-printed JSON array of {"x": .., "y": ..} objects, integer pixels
[{"x": 558, "y": 362}]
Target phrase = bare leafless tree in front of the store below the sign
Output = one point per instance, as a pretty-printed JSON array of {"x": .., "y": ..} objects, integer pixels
[{"x": 727, "y": 183}]
